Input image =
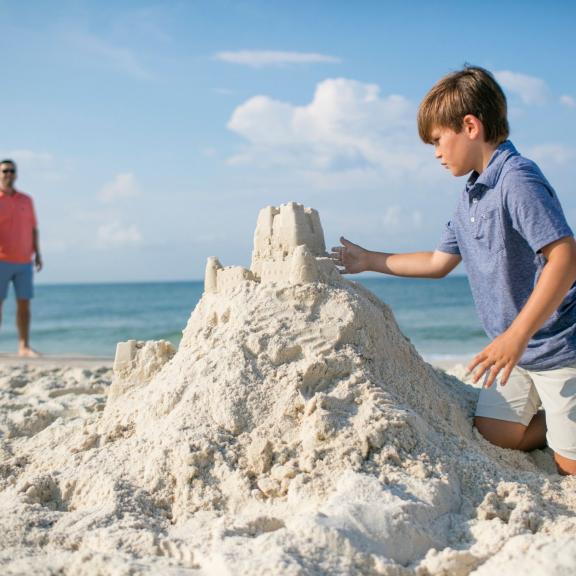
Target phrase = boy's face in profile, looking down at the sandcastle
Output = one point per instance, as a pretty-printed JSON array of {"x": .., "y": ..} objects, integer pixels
[{"x": 456, "y": 150}]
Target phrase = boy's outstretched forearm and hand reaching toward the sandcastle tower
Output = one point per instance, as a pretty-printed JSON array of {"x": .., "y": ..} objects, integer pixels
[{"x": 353, "y": 259}]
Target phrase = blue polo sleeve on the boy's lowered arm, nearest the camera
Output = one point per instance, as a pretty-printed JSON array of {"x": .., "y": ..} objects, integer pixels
[{"x": 534, "y": 208}]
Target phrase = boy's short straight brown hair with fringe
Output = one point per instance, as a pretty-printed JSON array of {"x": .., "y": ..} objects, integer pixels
[{"x": 472, "y": 90}]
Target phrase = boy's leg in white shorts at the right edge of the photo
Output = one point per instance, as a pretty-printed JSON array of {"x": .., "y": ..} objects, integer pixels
[{"x": 557, "y": 389}]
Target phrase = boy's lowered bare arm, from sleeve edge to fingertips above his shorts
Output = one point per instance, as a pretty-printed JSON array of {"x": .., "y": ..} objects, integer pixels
[{"x": 556, "y": 278}]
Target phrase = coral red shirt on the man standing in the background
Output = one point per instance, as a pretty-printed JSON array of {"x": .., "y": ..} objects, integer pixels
[{"x": 17, "y": 222}]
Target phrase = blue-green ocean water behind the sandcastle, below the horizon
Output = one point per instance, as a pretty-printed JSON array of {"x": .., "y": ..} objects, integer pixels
[{"x": 437, "y": 315}]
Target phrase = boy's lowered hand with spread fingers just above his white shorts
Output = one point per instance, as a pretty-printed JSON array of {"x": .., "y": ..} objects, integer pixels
[{"x": 501, "y": 354}]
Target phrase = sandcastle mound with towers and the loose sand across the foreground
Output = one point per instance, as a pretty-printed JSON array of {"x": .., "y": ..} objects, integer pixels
[{"x": 295, "y": 431}]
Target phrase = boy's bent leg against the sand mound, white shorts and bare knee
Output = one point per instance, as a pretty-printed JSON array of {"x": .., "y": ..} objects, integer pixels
[{"x": 508, "y": 415}]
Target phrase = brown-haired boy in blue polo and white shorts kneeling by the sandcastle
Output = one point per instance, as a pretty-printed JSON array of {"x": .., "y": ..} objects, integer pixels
[{"x": 520, "y": 256}]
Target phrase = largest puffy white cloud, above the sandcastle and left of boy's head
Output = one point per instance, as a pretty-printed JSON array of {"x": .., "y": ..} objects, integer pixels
[{"x": 347, "y": 127}]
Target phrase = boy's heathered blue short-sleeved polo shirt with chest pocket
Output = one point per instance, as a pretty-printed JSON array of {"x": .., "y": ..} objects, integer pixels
[{"x": 503, "y": 218}]
